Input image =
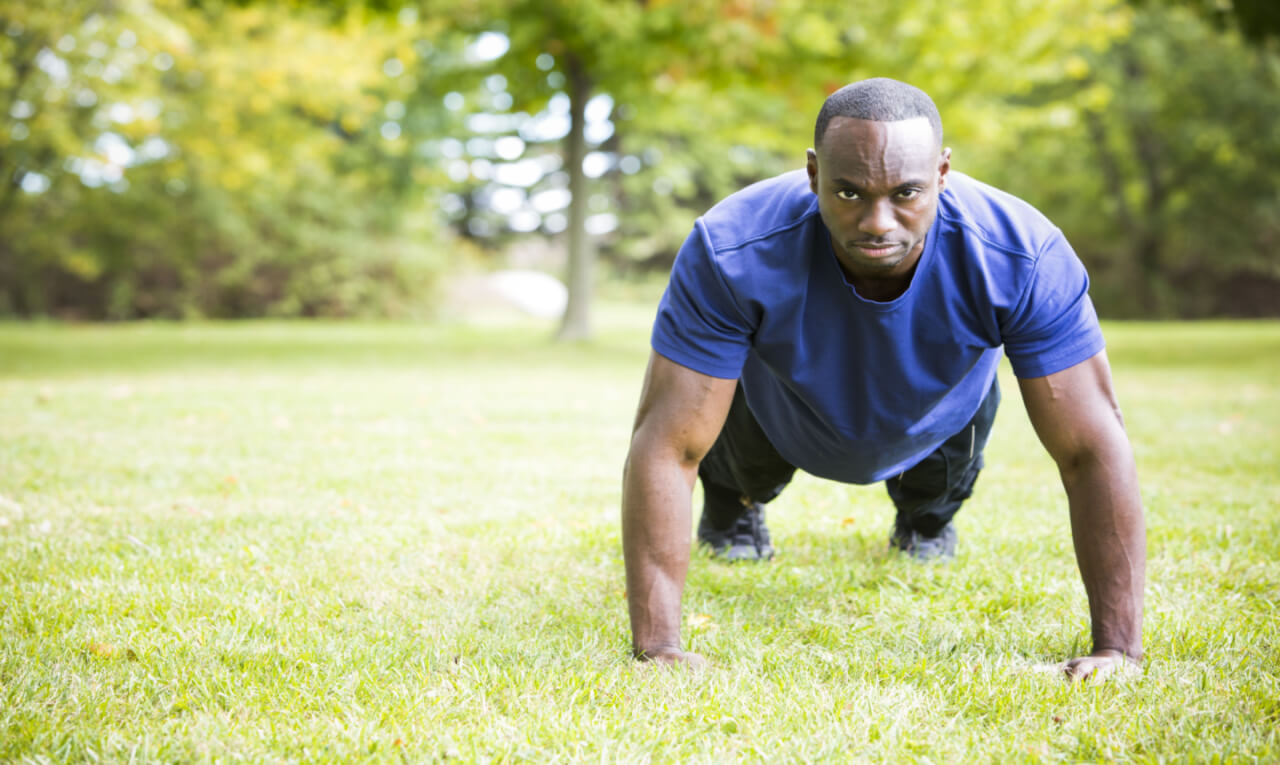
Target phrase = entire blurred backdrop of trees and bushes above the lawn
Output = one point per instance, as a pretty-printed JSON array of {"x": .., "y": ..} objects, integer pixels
[{"x": 195, "y": 159}]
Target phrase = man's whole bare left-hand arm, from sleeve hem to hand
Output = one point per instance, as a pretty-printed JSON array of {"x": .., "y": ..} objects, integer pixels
[{"x": 680, "y": 415}]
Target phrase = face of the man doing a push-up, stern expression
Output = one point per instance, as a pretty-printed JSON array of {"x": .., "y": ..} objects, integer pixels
[{"x": 877, "y": 186}]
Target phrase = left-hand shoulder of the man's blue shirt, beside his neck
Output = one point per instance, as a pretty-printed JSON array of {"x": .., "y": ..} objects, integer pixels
[{"x": 771, "y": 209}]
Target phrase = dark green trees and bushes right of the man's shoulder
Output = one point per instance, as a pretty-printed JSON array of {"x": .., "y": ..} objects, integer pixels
[{"x": 1156, "y": 159}]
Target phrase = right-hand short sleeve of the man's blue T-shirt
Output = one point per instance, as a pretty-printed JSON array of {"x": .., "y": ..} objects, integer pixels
[{"x": 1054, "y": 326}]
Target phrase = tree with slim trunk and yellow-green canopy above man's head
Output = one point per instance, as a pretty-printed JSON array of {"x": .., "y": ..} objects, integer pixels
[{"x": 753, "y": 74}]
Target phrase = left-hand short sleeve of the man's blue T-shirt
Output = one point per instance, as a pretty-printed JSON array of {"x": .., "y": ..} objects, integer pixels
[{"x": 700, "y": 323}]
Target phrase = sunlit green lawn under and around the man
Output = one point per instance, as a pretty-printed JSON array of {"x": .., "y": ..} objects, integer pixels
[{"x": 341, "y": 542}]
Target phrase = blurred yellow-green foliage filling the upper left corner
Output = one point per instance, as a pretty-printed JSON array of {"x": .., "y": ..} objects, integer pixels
[{"x": 162, "y": 162}]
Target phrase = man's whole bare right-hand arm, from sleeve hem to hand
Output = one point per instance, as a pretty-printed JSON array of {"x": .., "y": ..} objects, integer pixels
[{"x": 1077, "y": 418}]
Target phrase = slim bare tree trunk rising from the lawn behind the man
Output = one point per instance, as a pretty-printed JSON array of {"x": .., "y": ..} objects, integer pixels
[{"x": 577, "y": 324}]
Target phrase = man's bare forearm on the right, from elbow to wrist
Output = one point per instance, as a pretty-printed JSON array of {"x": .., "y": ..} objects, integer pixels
[{"x": 1109, "y": 534}]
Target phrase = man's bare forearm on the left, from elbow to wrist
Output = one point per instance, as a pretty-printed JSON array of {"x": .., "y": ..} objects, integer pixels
[{"x": 656, "y": 533}]
